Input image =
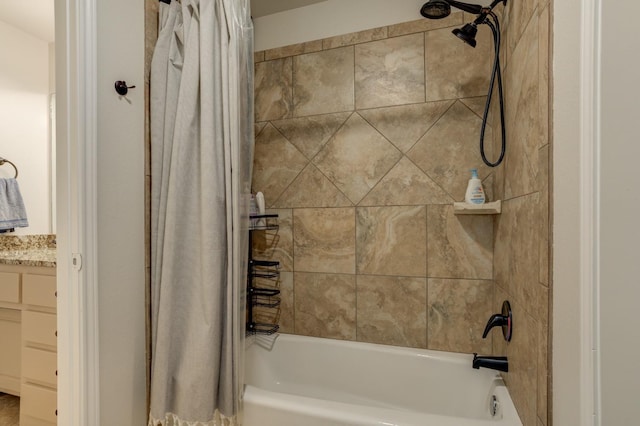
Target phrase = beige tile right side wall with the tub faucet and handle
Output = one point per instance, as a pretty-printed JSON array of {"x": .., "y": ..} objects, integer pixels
[{"x": 522, "y": 232}]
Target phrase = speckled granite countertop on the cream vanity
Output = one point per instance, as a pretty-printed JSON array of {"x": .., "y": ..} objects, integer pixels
[{"x": 29, "y": 250}]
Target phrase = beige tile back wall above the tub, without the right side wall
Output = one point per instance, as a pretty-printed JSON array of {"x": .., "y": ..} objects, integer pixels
[{"x": 363, "y": 143}]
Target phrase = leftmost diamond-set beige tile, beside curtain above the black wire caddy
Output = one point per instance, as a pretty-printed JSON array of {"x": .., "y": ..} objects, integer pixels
[{"x": 276, "y": 164}]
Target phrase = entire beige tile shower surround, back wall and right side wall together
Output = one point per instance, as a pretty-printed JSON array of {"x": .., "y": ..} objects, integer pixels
[{"x": 363, "y": 142}]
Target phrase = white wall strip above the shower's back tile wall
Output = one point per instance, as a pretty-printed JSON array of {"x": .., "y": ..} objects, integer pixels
[{"x": 331, "y": 18}]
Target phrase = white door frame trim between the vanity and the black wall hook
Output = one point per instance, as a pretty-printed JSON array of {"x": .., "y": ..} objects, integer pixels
[{"x": 76, "y": 182}]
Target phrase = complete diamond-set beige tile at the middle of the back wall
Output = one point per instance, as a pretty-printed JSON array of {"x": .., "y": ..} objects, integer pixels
[{"x": 356, "y": 158}]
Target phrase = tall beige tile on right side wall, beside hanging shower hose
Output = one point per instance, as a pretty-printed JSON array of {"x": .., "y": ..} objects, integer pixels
[{"x": 522, "y": 115}]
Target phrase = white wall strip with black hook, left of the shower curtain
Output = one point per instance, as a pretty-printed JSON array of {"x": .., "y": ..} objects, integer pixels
[{"x": 121, "y": 213}]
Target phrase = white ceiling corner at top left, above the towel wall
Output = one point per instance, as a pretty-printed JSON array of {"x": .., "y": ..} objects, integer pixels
[{"x": 35, "y": 17}]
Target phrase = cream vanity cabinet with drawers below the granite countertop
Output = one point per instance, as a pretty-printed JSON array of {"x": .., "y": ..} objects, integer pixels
[{"x": 28, "y": 330}]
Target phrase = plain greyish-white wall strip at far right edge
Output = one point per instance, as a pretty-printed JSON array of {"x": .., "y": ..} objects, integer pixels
[{"x": 619, "y": 207}]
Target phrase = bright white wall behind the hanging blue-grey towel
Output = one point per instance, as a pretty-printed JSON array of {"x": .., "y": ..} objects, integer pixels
[{"x": 24, "y": 121}]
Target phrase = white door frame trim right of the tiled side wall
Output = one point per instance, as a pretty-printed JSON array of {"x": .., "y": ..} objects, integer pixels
[{"x": 576, "y": 196}]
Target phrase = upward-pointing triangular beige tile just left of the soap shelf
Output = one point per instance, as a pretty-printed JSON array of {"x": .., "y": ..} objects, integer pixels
[{"x": 406, "y": 185}]
